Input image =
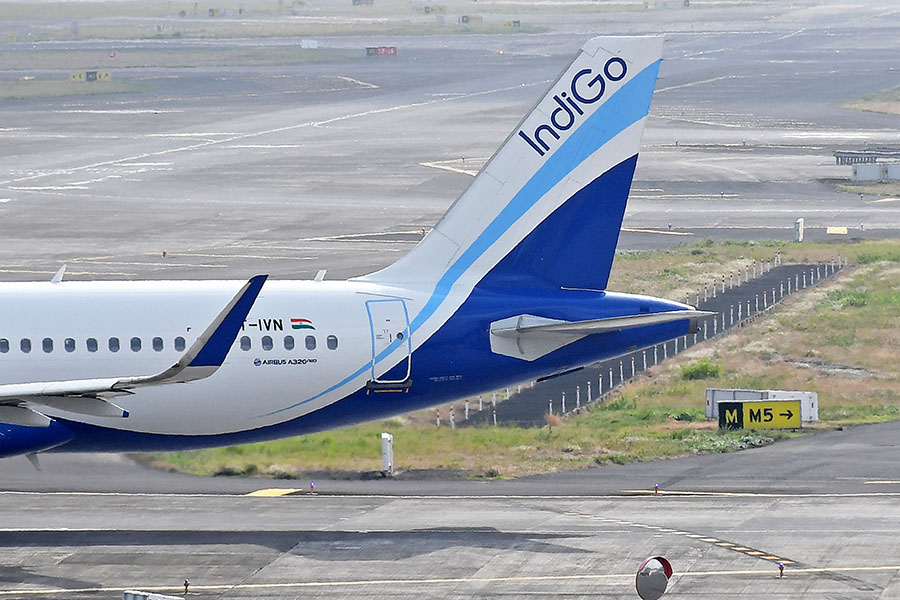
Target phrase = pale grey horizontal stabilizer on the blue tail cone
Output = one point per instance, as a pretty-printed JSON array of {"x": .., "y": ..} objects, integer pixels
[{"x": 529, "y": 337}]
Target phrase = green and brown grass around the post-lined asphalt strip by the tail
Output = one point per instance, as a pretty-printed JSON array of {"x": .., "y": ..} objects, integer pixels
[{"x": 838, "y": 339}]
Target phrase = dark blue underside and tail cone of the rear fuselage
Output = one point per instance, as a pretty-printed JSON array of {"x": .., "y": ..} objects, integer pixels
[{"x": 456, "y": 361}]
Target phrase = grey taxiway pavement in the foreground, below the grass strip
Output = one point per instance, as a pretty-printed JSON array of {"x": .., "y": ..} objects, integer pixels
[{"x": 824, "y": 506}]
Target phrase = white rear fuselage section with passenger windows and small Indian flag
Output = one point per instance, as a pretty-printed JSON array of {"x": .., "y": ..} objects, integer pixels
[{"x": 253, "y": 387}]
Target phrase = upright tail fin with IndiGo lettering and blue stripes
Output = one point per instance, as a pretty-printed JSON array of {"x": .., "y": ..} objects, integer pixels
[{"x": 546, "y": 209}]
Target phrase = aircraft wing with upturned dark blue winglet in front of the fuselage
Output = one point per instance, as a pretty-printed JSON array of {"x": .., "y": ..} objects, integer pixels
[{"x": 88, "y": 396}]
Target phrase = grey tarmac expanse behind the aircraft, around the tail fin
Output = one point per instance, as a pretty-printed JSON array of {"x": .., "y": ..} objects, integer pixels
[{"x": 236, "y": 170}]
